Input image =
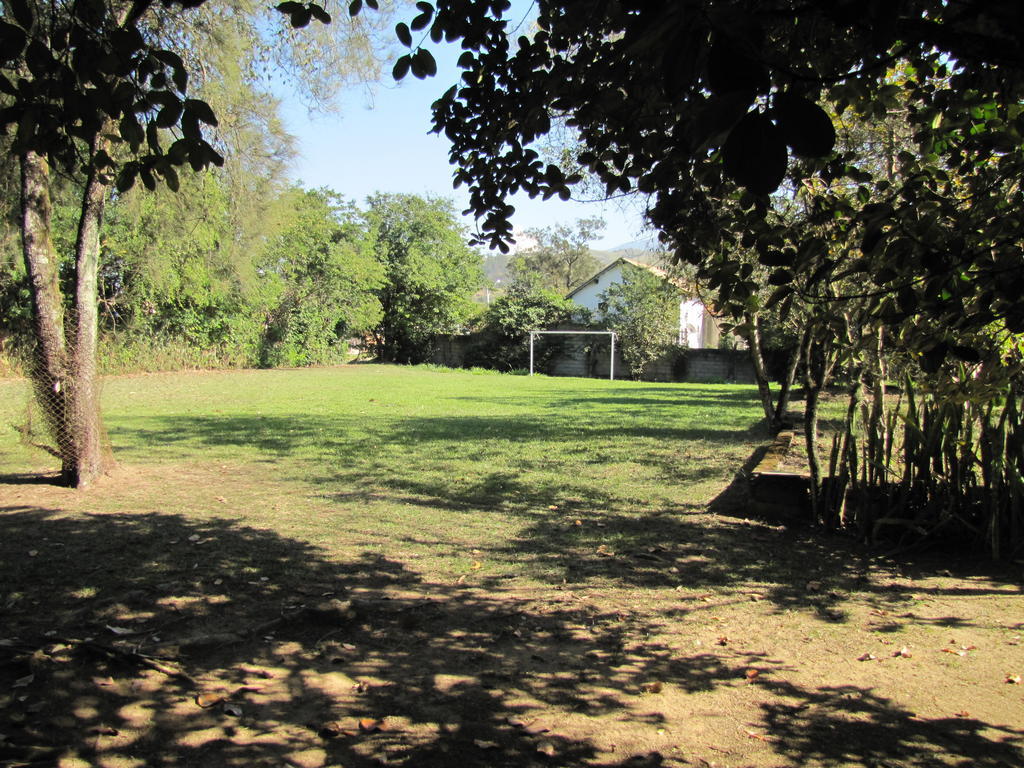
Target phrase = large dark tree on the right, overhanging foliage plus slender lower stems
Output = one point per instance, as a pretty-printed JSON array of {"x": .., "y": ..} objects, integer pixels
[{"x": 711, "y": 108}]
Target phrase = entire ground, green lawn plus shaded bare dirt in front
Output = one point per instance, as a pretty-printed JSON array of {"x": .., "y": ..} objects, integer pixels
[{"x": 374, "y": 566}]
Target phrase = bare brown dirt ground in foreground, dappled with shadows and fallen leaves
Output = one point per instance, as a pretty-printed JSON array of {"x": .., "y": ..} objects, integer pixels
[{"x": 732, "y": 643}]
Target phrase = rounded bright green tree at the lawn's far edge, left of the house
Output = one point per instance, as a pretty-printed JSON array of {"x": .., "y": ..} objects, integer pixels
[{"x": 431, "y": 274}]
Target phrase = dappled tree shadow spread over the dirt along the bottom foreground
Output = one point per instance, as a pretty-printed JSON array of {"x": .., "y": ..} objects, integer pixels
[{"x": 114, "y": 625}]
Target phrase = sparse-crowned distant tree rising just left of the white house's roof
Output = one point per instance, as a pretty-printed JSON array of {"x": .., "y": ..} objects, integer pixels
[{"x": 561, "y": 254}]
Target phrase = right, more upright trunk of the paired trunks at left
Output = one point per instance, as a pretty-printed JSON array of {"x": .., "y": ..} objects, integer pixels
[{"x": 84, "y": 396}]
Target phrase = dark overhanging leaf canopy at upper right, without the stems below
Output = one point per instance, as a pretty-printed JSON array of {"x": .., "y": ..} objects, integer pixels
[{"x": 710, "y": 108}]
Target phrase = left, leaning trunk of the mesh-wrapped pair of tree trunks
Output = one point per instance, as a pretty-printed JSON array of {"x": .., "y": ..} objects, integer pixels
[{"x": 50, "y": 367}]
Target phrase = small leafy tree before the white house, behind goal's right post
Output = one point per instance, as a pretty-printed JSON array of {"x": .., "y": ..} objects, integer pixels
[{"x": 644, "y": 311}]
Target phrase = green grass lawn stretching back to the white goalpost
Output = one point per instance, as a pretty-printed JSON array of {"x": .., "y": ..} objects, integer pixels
[{"x": 463, "y": 473}]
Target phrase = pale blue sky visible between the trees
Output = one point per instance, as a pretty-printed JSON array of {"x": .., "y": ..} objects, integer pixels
[{"x": 381, "y": 143}]
